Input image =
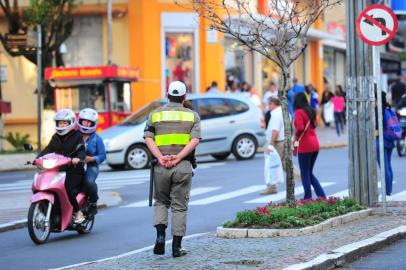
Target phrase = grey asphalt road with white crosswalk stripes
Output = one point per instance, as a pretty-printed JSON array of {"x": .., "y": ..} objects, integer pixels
[{"x": 219, "y": 190}]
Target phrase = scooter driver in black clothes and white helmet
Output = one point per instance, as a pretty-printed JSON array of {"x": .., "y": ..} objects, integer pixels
[{"x": 65, "y": 142}]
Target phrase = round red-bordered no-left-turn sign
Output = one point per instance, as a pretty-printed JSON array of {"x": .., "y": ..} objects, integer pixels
[{"x": 377, "y": 25}]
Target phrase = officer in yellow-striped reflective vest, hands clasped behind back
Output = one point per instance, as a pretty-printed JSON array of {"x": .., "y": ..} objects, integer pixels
[{"x": 172, "y": 132}]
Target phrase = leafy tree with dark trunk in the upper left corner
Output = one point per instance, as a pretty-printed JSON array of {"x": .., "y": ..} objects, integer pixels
[{"x": 55, "y": 18}]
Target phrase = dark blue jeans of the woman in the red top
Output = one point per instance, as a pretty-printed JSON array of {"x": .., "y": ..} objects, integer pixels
[{"x": 306, "y": 164}]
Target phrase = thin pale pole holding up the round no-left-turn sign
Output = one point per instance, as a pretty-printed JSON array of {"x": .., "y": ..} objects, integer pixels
[{"x": 377, "y": 73}]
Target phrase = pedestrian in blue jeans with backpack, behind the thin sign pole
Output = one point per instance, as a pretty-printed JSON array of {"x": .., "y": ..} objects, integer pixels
[{"x": 388, "y": 142}]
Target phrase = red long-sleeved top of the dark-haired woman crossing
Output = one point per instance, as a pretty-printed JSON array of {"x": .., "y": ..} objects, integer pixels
[{"x": 309, "y": 142}]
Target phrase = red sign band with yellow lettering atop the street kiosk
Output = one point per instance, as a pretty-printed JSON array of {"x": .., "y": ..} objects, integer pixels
[{"x": 102, "y": 72}]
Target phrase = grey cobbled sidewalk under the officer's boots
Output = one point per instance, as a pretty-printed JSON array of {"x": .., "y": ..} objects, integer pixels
[{"x": 209, "y": 252}]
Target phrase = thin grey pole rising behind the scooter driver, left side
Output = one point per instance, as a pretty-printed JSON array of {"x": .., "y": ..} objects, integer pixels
[{"x": 39, "y": 84}]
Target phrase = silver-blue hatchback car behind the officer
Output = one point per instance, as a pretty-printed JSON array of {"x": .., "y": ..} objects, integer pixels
[{"x": 229, "y": 123}]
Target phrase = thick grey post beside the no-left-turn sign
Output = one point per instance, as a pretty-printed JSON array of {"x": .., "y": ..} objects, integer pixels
[{"x": 361, "y": 115}]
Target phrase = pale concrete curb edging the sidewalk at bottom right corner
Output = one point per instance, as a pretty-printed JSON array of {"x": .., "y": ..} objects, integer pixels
[{"x": 351, "y": 252}]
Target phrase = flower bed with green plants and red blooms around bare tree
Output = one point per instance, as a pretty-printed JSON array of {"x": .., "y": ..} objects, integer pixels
[{"x": 306, "y": 213}]
